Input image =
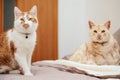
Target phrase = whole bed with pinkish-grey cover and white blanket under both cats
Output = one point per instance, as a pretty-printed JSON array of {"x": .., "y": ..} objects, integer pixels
[{"x": 64, "y": 69}]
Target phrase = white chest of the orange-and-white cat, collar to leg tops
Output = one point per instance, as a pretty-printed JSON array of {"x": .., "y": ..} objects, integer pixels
[{"x": 22, "y": 44}]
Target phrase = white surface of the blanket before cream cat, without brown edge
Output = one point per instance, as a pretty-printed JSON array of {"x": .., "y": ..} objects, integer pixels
[{"x": 95, "y": 70}]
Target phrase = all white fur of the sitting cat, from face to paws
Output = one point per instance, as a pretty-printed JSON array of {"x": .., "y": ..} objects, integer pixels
[{"x": 24, "y": 46}]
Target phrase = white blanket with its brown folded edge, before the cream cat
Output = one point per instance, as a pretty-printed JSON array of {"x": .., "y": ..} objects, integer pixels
[{"x": 102, "y": 72}]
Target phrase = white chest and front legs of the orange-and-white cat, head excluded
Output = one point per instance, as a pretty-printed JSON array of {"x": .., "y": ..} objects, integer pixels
[{"x": 24, "y": 47}]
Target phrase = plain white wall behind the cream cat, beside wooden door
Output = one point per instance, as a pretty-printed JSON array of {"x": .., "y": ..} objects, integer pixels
[{"x": 73, "y": 21}]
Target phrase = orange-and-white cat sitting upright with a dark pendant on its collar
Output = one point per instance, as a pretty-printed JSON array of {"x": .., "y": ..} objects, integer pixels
[{"x": 17, "y": 44}]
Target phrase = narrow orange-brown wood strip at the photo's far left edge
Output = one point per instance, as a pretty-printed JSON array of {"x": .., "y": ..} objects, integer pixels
[{"x": 1, "y": 15}]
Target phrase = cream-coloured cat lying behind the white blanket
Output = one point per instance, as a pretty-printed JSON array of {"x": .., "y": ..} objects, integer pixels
[{"x": 103, "y": 49}]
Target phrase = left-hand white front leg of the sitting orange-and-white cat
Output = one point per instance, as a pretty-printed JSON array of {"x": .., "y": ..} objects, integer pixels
[{"x": 22, "y": 61}]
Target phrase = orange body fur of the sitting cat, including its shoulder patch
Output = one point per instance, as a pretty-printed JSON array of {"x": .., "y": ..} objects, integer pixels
[{"x": 7, "y": 53}]
